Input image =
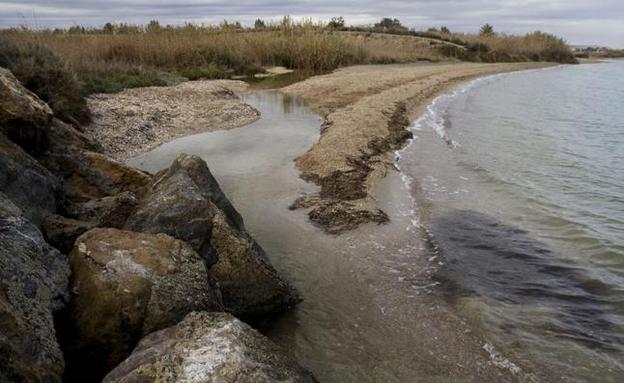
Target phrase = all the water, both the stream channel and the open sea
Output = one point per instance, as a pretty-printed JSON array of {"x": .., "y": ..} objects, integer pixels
[{"x": 507, "y": 210}]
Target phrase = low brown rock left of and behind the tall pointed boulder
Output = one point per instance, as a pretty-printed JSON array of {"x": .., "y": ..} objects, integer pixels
[{"x": 89, "y": 175}]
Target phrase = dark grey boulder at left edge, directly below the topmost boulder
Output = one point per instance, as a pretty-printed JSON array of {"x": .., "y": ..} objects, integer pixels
[{"x": 28, "y": 184}]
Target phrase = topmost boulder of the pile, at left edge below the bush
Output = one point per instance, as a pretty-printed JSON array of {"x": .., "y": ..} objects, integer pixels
[{"x": 22, "y": 113}]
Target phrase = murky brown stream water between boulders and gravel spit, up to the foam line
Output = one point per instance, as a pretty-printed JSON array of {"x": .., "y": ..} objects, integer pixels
[{"x": 372, "y": 311}]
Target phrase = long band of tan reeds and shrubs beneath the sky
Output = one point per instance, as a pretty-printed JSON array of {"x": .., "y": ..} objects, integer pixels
[{"x": 115, "y": 57}]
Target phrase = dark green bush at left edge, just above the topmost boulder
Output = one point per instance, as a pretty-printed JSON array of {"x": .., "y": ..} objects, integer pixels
[{"x": 45, "y": 74}]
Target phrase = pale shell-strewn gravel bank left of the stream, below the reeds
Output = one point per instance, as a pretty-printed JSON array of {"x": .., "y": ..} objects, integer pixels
[{"x": 137, "y": 120}]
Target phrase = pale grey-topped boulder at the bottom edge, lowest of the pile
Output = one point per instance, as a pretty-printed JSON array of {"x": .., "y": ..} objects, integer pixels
[{"x": 208, "y": 347}]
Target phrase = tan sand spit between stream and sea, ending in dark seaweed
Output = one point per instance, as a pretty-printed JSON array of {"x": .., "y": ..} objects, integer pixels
[{"x": 366, "y": 110}]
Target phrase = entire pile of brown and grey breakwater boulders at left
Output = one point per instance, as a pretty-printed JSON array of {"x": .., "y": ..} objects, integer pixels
[{"x": 97, "y": 257}]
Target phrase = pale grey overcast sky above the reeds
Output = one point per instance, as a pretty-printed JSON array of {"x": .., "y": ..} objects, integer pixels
[{"x": 578, "y": 21}]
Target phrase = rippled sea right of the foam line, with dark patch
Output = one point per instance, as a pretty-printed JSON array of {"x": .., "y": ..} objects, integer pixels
[{"x": 520, "y": 179}]
